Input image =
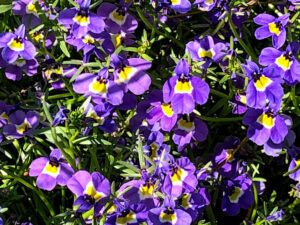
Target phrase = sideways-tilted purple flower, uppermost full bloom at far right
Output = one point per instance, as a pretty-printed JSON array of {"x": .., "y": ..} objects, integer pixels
[{"x": 271, "y": 26}]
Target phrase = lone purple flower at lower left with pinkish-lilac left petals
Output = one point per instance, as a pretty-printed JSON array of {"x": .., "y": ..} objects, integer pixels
[{"x": 50, "y": 171}]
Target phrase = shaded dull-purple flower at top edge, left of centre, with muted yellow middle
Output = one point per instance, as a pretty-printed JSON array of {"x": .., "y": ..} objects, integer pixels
[{"x": 116, "y": 18}]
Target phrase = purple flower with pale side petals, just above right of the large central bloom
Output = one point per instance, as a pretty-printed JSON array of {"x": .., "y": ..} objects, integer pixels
[{"x": 206, "y": 51}]
